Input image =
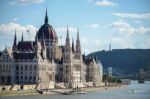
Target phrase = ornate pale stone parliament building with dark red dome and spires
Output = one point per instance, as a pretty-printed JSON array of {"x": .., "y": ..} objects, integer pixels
[{"x": 46, "y": 64}]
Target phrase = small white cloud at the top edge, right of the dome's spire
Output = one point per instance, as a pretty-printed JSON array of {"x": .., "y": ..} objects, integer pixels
[{"x": 105, "y": 3}]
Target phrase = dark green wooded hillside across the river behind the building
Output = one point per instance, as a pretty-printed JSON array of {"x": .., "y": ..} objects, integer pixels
[{"x": 127, "y": 61}]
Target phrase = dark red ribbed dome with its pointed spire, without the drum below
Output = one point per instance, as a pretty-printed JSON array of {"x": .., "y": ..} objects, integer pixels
[{"x": 46, "y": 30}]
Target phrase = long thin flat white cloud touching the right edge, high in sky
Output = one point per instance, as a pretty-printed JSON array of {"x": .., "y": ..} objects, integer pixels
[{"x": 133, "y": 15}]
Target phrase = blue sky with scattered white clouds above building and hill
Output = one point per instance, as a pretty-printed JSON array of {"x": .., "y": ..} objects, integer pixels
[{"x": 123, "y": 23}]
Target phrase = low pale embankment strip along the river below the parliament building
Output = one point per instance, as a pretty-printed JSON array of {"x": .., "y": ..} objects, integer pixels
[{"x": 58, "y": 91}]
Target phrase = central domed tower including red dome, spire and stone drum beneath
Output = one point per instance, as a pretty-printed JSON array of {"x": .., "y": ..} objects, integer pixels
[{"x": 50, "y": 38}]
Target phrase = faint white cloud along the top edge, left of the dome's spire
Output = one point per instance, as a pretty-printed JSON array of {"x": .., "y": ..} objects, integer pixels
[{"x": 25, "y": 2}]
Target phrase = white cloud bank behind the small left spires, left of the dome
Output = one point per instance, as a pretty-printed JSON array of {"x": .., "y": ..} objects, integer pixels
[{"x": 8, "y": 30}]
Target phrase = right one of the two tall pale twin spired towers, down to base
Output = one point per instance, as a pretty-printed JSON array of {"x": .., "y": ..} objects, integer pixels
[{"x": 78, "y": 66}]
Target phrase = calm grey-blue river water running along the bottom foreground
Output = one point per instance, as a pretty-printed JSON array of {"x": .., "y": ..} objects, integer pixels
[{"x": 133, "y": 91}]
